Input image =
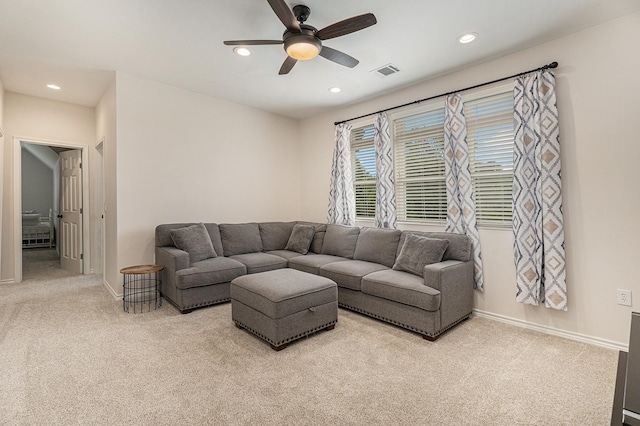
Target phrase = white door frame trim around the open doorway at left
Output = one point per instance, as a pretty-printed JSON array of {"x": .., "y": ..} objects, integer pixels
[{"x": 17, "y": 200}]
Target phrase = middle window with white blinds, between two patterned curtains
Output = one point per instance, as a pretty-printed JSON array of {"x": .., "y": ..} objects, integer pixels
[{"x": 421, "y": 193}]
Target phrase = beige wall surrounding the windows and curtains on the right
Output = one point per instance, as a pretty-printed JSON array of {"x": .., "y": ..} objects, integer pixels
[{"x": 598, "y": 94}]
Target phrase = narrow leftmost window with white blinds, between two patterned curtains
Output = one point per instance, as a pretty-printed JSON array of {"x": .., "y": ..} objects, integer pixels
[{"x": 363, "y": 164}]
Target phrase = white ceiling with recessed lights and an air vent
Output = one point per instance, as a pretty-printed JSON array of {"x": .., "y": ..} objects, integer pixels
[{"x": 77, "y": 44}]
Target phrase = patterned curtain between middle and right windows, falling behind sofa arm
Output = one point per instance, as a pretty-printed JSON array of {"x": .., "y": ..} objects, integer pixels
[{"x": 461, "y": 209}]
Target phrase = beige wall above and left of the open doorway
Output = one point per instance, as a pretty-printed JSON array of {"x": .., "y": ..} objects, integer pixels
[{"x": 39, "y": 119}]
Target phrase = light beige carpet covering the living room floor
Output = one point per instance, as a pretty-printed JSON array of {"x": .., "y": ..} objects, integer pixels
[{"x": 69, "y": 355}]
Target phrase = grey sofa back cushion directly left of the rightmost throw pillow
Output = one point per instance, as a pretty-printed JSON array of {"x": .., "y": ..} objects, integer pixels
[{"x": 377, "y": 245}]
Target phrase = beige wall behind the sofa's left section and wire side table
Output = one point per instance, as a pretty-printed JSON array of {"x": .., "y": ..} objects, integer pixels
[{"x": 182, "y": 156}]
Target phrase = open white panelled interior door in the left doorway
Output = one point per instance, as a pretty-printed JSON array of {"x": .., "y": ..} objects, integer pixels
[{"x": 70, "y": 216}]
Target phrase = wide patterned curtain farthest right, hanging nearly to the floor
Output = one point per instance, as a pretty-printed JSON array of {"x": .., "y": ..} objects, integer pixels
[{"x": 537, "y": 194}]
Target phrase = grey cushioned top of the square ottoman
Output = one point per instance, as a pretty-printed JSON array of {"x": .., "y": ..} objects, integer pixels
[{"x": 283, "y": 292}]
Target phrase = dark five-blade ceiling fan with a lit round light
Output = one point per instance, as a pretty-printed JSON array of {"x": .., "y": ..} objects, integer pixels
[{"x": 302, "y": 41}]
